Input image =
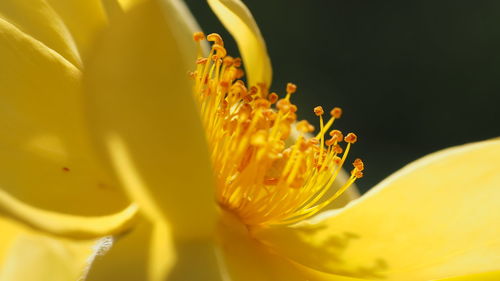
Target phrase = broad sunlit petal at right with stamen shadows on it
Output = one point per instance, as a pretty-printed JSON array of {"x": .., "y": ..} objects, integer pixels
[{"x": 433, "y": 219}]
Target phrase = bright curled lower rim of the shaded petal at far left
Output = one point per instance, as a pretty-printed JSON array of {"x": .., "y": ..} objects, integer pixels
[{"x": 78, "y": 227}]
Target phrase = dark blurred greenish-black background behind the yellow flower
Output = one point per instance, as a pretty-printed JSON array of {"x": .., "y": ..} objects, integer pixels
[{"x": 412, "y": 77}]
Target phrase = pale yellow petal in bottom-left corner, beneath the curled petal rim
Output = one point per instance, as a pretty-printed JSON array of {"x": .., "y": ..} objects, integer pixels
[{"x": 27, "y": 255}]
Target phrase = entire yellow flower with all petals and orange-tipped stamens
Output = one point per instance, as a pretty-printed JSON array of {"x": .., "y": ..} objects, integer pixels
[{"x": 136, "y": 147}]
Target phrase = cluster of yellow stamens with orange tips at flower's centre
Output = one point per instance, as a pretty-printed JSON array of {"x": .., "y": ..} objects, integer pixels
[{"x": 259, "y": 177}]
